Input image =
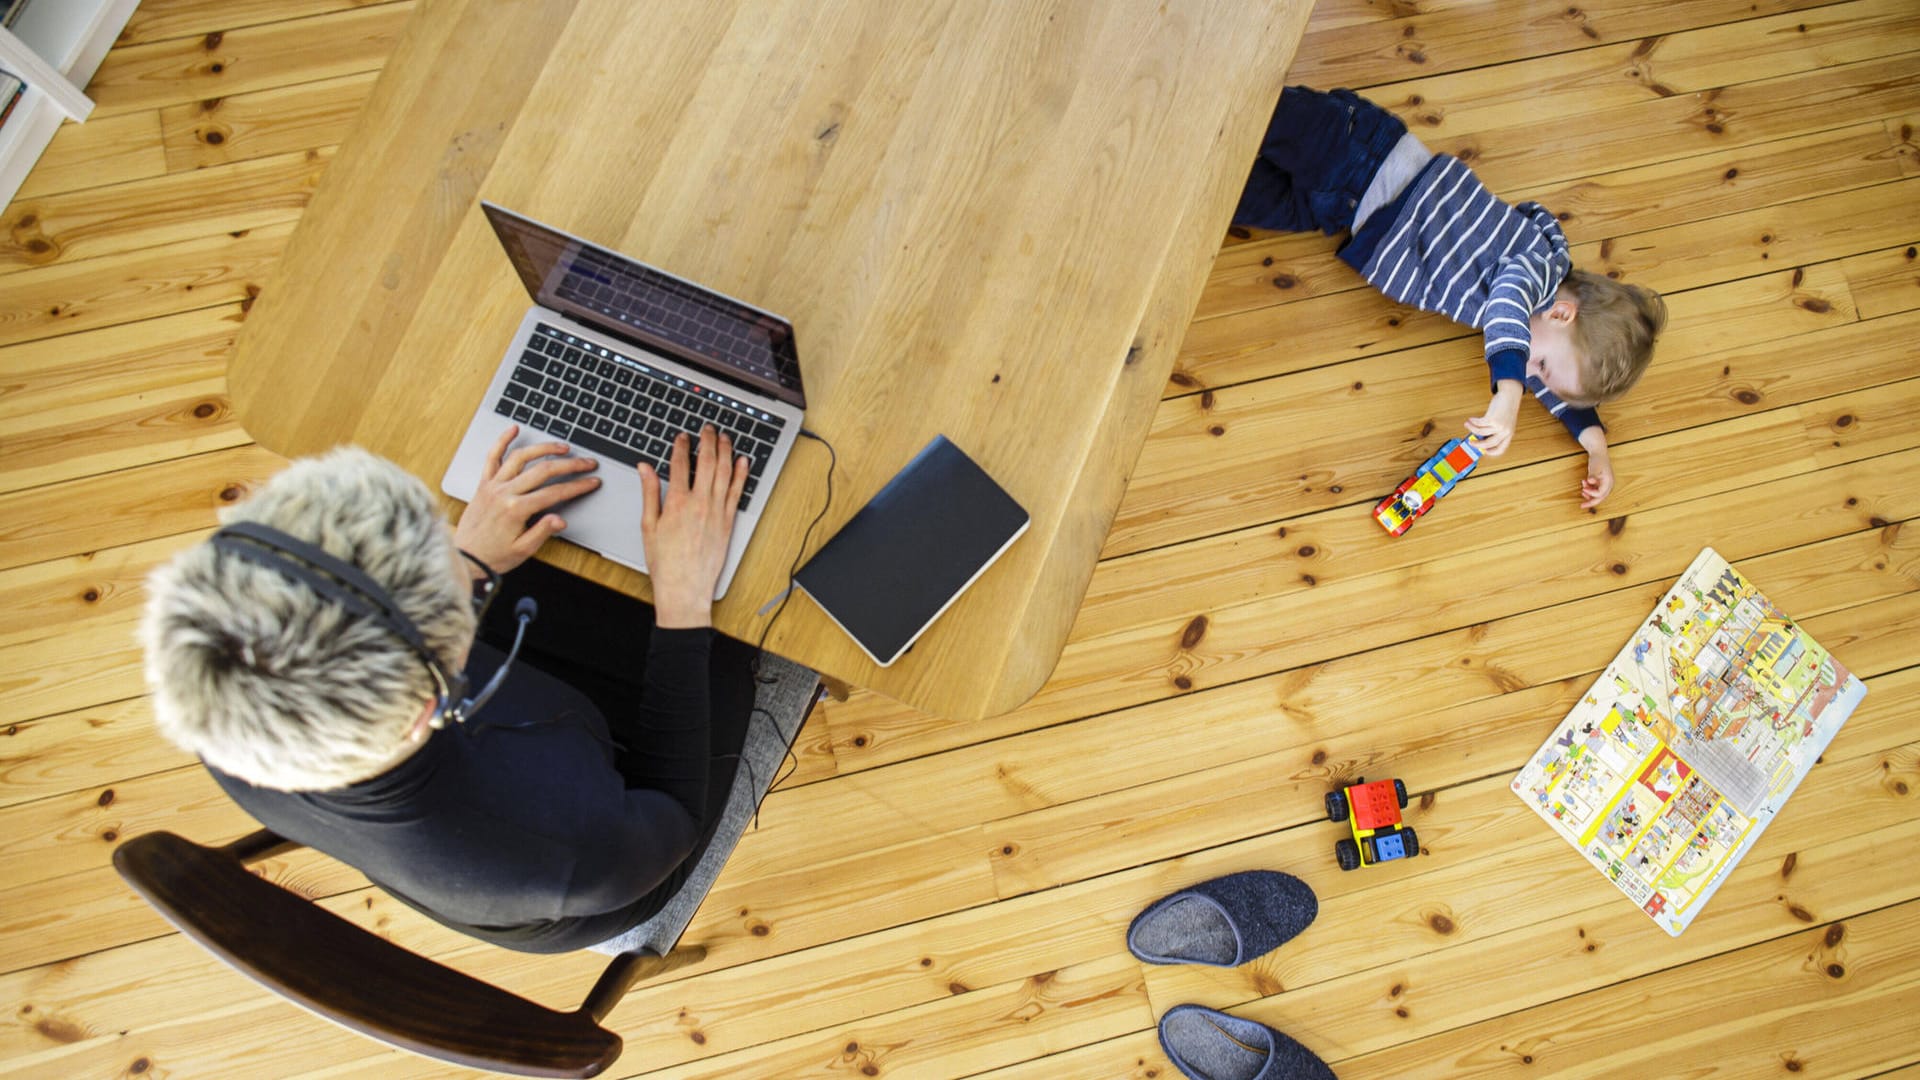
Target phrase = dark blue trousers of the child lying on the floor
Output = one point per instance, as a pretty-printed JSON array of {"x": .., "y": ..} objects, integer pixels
[{"x": 1316, "y": 162}]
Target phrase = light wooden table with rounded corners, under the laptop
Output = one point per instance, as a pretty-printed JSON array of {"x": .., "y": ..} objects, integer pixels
[{"x": 984, "y": 218}]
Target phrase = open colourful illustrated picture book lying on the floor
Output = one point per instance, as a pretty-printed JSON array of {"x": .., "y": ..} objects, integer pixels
[{"x": 1691, "y": 743}]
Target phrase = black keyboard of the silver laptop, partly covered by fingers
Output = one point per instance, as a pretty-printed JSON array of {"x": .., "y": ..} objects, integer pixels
[{"x": 627, "y": 410}]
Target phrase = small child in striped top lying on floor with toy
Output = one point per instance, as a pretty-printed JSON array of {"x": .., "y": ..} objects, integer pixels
[{"x": 1428, "y": 233}]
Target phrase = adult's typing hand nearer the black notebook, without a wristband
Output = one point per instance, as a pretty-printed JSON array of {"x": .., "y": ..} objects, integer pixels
[{"x": 688, "y": 528}]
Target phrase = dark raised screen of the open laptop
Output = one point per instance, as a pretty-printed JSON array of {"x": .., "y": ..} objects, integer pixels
[{"x": 652, "y": 308}]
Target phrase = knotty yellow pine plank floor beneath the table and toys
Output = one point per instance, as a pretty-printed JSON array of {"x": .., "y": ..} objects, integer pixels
[{"x": 926, "y": 898}]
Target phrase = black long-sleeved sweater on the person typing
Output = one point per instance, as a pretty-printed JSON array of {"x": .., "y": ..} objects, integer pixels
[{"x": 529, "y": 825}]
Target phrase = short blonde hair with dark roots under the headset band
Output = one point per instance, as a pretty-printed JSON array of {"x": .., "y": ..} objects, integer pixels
[{"x": 277, "y": 685}]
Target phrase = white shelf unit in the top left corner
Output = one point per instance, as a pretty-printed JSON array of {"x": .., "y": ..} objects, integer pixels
[{"x": 55, "y": 47}]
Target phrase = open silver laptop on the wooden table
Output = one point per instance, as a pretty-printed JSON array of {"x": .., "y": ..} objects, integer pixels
[{"x": 617, "y": 358}]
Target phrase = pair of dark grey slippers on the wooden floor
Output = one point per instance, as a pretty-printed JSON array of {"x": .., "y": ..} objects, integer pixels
[{"x": 1226, "y": 923}]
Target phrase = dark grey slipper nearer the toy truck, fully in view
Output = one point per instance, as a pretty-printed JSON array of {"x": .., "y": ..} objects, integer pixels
[{"x": 1226, "y": 921}]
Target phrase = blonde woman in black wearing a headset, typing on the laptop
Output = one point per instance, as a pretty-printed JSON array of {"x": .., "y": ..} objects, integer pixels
[{"x": 316, "y": 652}]
